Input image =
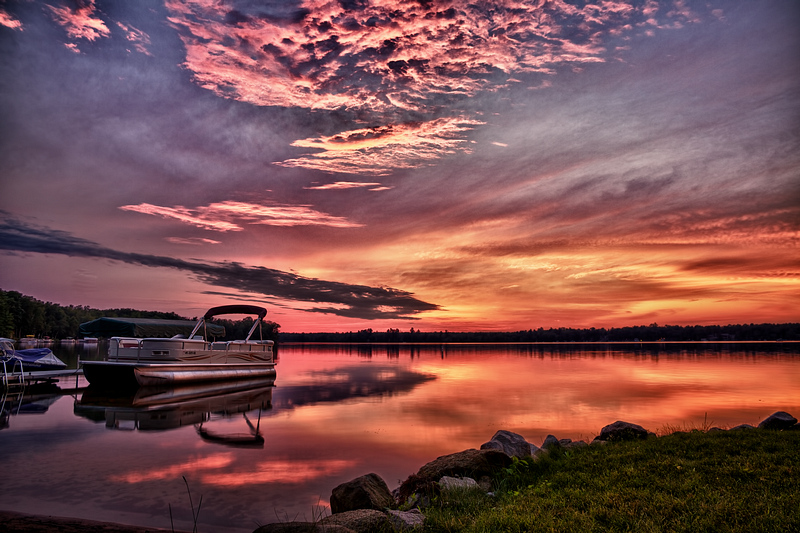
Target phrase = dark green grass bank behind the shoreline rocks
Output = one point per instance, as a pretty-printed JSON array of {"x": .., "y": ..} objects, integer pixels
[{"x": 720, "y": 481}]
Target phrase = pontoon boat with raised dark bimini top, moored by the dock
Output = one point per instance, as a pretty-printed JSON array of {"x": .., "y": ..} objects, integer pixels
[{"x": 154, "y": 362}]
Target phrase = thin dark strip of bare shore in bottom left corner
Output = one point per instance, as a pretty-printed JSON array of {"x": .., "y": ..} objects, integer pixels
[{"x": 11, "y": 522}]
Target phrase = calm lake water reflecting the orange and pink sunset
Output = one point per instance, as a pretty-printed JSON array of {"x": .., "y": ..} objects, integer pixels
[{"x": 340, "y": 411}]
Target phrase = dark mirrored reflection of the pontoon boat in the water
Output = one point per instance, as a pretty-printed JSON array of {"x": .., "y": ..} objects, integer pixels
[{"x": 199, "y": 404}]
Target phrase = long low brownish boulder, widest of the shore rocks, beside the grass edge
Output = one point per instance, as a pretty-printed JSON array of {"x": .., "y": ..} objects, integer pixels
[{"x": 470, "y": 463}]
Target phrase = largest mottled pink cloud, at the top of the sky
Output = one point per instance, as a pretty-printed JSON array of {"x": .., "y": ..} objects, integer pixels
[{"x": 418, "y": 54}]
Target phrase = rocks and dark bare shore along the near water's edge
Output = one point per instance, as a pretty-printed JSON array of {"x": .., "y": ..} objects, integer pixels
[{"x": 366, "y": 504}]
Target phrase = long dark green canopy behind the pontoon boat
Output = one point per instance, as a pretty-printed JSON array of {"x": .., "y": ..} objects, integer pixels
[{"x": 144, "y": 327}]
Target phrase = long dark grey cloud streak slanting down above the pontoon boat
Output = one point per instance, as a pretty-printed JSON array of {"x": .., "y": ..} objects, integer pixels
[{"x": 358, "y": 301}]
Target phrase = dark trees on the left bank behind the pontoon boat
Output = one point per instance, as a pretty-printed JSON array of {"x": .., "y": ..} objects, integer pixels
[{"x": 22, "y": 316}]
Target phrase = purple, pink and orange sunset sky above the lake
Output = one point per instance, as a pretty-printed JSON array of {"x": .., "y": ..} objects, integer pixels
[{"x": 438, "y": 165}]
